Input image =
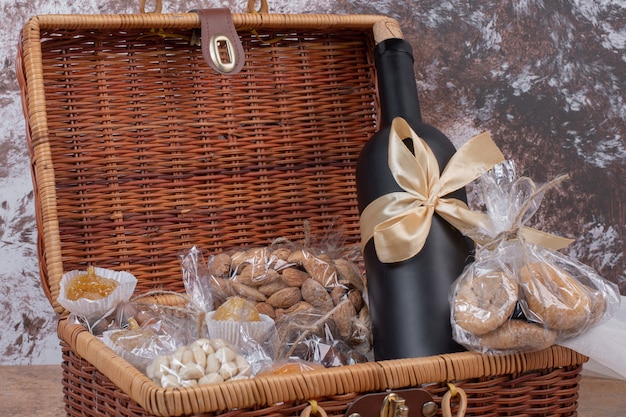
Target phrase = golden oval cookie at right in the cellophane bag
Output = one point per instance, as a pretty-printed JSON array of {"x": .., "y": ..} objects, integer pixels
[{"x": 560, "y": 301}]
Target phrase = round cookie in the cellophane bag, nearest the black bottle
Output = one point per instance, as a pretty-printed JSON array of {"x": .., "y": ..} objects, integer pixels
[{"x": 483, "y": 303}]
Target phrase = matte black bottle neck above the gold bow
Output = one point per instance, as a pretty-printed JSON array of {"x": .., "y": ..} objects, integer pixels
[{"x": 396, "y": 81}]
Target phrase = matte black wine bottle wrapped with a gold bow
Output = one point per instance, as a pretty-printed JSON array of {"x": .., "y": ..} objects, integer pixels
[{"x": 409, "y": 303}]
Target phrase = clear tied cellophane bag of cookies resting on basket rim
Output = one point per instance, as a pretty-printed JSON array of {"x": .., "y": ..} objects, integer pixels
[{"x": 521, "y": 294}]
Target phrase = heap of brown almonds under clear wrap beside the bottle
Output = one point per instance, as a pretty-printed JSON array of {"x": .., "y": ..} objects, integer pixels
[{"x": 284, "y": 282}]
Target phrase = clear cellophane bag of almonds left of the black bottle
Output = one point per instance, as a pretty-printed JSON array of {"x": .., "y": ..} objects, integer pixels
[{"x": 311, "y": 293}]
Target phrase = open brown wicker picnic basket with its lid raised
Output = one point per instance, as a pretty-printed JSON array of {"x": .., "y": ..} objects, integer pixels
[{"x": 140, "y": 150}]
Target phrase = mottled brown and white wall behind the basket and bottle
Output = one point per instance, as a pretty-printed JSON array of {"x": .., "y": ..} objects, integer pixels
[{"x": 547, "y": 78}]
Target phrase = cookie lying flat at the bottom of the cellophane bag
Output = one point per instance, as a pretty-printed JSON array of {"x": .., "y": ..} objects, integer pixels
[{"x": 518, "y": 335}]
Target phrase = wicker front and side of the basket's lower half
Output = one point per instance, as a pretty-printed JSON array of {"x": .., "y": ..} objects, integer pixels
[{"x": 532, "y": 385}]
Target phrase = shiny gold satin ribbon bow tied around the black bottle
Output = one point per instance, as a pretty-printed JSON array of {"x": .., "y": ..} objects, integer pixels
[{"x": 399, "y": 222}]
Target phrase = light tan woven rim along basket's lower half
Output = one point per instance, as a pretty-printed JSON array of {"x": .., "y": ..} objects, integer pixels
[{"x": 167, "y": 401}]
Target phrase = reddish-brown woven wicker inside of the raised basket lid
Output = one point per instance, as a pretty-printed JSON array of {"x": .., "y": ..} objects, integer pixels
[{"x": 147, "y": 151}]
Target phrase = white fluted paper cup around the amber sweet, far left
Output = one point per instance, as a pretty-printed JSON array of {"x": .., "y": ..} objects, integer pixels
[{"x": 98, "y": 308}]
